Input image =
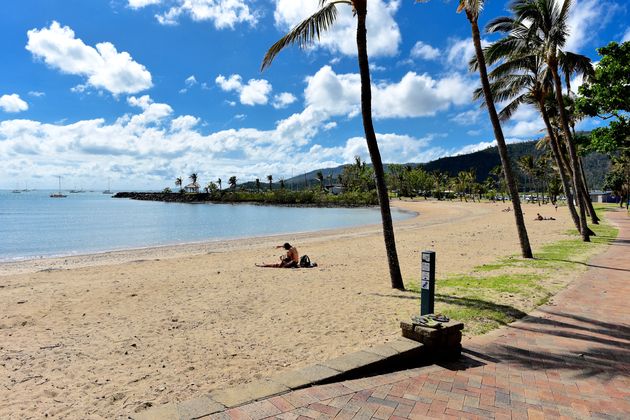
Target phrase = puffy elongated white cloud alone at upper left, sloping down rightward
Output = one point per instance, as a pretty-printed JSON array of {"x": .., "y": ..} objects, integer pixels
[{"x": 103, "y": 67}]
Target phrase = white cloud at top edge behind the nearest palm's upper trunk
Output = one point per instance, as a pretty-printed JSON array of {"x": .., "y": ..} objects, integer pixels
[{"x": 383, "y": 32}]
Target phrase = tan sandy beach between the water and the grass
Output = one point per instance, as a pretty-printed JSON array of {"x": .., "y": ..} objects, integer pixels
[{"x": 104, "y": 336}]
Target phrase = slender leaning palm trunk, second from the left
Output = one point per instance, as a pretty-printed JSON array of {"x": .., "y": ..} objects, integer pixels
[{"x": 526, "y": 249}]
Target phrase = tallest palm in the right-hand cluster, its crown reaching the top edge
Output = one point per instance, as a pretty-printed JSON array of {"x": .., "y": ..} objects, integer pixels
[{"x": 548, "y": 24}]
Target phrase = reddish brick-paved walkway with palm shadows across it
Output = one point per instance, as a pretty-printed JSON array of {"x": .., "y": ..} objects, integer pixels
[{"x": 569, "y": 359}]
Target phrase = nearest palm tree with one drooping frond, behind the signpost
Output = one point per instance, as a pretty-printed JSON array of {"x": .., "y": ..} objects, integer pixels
[{"x": 304, "y": 34}]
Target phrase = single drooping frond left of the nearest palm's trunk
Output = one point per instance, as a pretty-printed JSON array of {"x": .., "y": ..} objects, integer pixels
[{"x": 305, "y": 33}]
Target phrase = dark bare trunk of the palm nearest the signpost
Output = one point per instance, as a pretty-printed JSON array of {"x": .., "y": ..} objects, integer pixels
[{"x": 375, "y": 155}]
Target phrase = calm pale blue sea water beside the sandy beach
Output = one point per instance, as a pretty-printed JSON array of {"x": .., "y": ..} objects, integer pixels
[{"x": 34, "y": 225}]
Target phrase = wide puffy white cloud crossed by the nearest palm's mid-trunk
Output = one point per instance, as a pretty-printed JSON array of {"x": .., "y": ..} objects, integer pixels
[{"x": 416, "y": 95}]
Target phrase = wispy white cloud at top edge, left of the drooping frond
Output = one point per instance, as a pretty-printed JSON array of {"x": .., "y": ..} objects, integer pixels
[{"x": 222, "y": 13}]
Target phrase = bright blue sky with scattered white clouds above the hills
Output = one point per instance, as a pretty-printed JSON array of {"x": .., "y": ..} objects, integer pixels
[{"x": 140, "y": 92}]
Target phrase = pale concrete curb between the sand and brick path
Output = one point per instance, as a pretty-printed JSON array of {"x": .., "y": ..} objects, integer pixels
[{"x": 348, "y": 366}]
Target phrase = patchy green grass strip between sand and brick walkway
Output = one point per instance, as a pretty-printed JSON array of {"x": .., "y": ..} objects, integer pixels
[{"x": 496, "y": 294}]
